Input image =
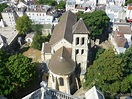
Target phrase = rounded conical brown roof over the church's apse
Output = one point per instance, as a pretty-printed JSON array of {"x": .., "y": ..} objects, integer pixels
[{"x": 61, "y": 62}]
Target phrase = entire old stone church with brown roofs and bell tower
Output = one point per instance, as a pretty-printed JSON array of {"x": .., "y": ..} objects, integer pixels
[{"x": 66, "y": 54}]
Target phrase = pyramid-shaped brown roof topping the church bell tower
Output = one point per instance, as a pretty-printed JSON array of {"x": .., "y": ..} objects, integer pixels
[{"x": 80, "y": 27}]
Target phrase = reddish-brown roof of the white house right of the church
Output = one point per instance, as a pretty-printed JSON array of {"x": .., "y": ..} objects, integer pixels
[{"x": 120, "y": 39}]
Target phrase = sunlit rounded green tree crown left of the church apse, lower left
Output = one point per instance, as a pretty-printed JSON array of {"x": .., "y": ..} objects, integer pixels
[{"x": 21, "y": 70}]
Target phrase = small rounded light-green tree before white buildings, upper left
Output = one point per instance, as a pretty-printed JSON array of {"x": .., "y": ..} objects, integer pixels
[{"x": 23, "y": 24}]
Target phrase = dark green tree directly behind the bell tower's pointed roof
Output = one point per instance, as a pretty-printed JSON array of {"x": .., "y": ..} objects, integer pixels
[{"x": 97, "y": 22}]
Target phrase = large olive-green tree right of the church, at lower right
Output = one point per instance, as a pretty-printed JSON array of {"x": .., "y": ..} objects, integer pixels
[{"x": 107, "y": 73}]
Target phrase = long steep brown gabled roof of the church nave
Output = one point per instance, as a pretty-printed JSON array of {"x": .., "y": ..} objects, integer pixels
[{"x": 64, "y": 28}]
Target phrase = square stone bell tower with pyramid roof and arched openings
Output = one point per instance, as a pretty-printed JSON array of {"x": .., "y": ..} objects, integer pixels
[{"x": 80, "y": 47}]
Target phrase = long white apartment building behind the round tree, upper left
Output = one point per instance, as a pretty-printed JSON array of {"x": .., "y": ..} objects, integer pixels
[{"x": 39, "y": 14}]
